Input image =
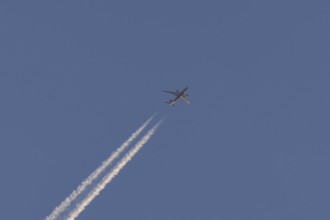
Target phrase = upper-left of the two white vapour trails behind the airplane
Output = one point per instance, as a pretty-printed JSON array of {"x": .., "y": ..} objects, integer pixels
[{"x": 82, "y": 187}]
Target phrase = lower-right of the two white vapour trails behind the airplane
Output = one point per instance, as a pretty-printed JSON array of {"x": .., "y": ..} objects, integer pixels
[{"x": 120, "y": 165}]
